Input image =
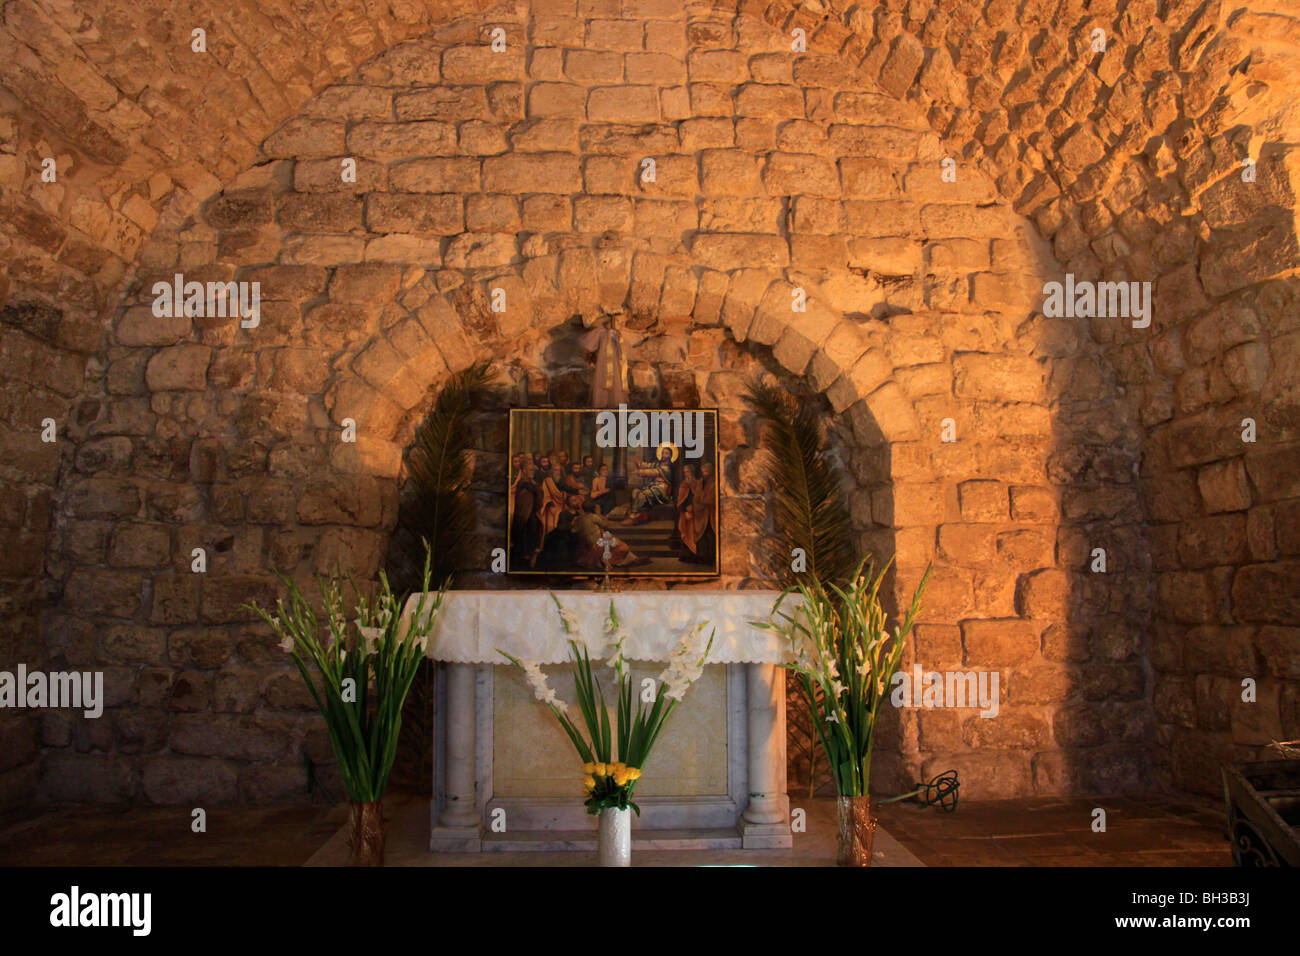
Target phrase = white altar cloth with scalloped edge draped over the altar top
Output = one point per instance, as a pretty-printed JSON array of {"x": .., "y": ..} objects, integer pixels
[{"x": 474, "y": 625}]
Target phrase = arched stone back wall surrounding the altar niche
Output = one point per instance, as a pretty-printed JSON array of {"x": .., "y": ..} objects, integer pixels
[{"x": 521, "y": 172}]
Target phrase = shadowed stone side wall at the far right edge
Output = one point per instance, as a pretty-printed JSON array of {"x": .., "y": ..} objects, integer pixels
[{"x": 1225, "y": 511}]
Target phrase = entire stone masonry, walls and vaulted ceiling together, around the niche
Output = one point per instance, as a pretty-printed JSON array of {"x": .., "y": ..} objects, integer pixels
[{"x": 774, "y": 172}]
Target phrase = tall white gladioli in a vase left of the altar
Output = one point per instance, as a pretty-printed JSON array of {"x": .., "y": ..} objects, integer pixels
[{"x": 359, "y": 680}]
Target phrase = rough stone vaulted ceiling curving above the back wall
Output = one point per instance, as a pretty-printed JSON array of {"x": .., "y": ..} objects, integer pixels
[{"x": 146, "y": 129}]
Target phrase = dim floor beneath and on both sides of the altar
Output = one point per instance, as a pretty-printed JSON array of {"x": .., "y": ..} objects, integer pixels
[{"x": 1141, "y": 832}]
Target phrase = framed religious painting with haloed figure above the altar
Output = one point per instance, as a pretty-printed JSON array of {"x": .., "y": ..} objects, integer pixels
[{"x": 635, "y": 490}]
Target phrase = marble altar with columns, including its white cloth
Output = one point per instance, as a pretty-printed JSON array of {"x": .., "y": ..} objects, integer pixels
[{"x": 506, "y": 778}]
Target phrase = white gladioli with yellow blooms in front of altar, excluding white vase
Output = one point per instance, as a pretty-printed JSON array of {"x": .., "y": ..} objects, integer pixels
[{"x": 613, "y": 758}]
